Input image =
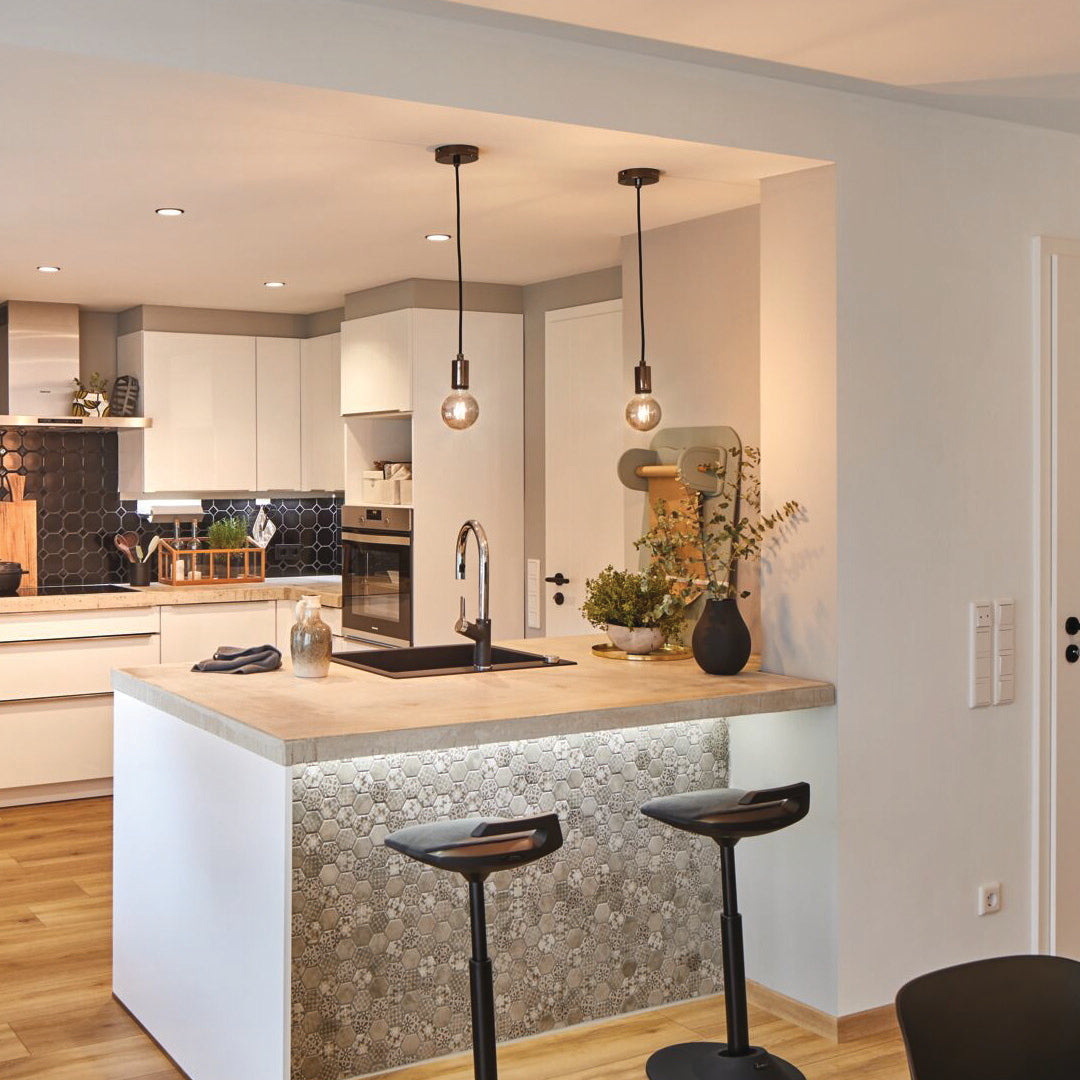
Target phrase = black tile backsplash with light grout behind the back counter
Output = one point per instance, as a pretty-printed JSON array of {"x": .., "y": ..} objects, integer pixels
[{"x": 73, "y": 476}]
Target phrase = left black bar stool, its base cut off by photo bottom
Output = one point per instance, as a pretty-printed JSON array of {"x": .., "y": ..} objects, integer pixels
[{"x": 475, "y": 848}]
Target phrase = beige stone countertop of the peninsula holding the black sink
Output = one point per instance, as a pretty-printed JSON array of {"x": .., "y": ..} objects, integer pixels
[{"x": 359, "y": 714}]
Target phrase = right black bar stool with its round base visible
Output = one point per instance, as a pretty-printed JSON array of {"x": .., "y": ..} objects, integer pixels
[{"x": 727, "y": 816}]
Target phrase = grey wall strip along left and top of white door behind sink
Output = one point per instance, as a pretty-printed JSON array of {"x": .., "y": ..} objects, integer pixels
[{"x": 546, "y": 296}]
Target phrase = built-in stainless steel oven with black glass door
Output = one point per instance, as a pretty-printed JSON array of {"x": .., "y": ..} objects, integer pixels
[{"x": 377, "y": 574}]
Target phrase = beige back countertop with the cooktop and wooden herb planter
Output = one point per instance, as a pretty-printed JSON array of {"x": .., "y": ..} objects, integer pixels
[{"x": 274, "y": 589}]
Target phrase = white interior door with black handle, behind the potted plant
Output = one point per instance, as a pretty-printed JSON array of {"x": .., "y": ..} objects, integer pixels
[{"x": 584, "y": 440}]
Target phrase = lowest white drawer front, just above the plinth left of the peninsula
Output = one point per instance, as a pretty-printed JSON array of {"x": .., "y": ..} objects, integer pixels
[{"x": 56, "y": 742}]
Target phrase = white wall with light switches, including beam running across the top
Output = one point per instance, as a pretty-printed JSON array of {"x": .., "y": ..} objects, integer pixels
[{"x": 935, "y": 400}]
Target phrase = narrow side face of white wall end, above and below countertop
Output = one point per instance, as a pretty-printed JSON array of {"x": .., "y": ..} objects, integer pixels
[{"x": 790, "y": 882}]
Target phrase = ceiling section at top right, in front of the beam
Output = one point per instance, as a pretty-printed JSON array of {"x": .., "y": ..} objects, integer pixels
[{"x": 1017, "y": 60}]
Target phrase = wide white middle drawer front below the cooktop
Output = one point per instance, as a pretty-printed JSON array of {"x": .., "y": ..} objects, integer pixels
[{"x": 64, "y": 667}]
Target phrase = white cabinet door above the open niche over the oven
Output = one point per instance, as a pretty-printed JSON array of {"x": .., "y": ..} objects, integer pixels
[{"x": 377, "y": 364}]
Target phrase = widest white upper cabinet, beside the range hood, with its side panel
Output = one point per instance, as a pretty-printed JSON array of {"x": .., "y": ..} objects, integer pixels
[{"x": 200, "y": 391}]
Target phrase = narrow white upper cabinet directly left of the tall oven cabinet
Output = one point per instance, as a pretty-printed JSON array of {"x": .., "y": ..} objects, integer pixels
[{"x": 322, "y": 429}]
